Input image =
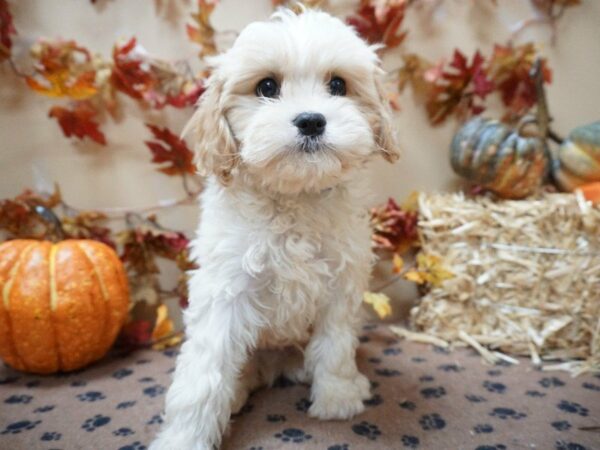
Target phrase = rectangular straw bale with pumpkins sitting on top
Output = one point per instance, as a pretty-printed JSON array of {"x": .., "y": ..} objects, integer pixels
[{"x": 527, "y": 277}]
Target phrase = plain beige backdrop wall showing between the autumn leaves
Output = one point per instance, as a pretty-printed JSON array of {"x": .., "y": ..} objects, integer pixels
[{"x": 33, "y": 152}]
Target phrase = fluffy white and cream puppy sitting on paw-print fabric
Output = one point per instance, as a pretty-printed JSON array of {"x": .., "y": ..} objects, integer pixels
[{"x": 292, "y": 114}]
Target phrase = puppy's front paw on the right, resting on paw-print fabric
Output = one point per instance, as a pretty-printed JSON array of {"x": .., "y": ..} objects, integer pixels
[{"x": 339, "y": 398}]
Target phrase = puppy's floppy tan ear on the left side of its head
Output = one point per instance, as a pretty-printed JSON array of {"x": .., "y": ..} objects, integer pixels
[{"x": 215, "y": 146}]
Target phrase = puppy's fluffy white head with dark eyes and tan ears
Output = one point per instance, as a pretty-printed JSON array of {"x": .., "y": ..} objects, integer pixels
[{"x": 295, "y": 105}]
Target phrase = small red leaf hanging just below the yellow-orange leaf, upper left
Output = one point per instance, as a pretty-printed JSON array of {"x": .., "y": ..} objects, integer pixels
[{"x": 78, "y": 121}]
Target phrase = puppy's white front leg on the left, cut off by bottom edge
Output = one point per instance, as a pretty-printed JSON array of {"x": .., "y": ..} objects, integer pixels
[{"x": 198, "y": 403}]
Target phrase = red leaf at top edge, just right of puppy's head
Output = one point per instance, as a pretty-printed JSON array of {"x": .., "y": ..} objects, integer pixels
[{"x": 379, "y": 22}]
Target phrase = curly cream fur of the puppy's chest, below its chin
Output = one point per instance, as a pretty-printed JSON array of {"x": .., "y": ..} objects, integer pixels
[{"x": 294, "y": 260}]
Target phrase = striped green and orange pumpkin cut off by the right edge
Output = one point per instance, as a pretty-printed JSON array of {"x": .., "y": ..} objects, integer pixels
[{"x": 578, "y": 159}]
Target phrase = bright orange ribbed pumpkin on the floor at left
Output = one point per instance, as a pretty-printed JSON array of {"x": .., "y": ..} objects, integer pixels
[{"x": 62, "y": 304}]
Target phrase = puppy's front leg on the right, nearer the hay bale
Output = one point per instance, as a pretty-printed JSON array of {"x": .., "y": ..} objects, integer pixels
[{"x": 338, "y": 388}]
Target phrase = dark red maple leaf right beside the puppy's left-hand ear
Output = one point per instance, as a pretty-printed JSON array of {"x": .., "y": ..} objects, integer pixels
[{"x": 177, "y": 155}]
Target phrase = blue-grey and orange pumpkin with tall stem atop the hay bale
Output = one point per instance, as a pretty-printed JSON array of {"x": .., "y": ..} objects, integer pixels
[{"x": 499, "y": 158}]
